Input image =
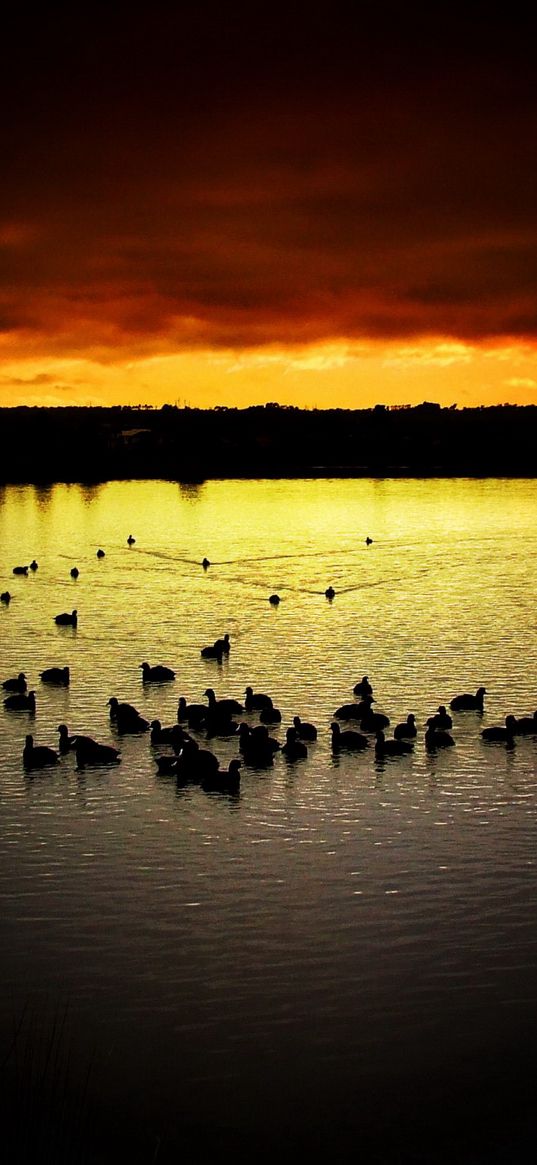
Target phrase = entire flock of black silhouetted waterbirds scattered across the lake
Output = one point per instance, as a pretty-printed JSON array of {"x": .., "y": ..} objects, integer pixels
[{"x": 192, "y": 764}]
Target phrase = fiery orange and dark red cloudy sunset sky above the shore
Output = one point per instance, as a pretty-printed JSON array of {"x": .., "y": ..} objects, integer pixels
[{"x": 232, "y": 204}]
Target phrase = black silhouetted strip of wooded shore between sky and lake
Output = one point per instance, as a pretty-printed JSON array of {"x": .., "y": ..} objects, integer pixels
[{"x": 186, "y": 444}]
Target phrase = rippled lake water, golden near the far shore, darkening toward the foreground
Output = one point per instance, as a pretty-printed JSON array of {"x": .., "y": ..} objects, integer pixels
[{"x": 345, "y": 954}]
